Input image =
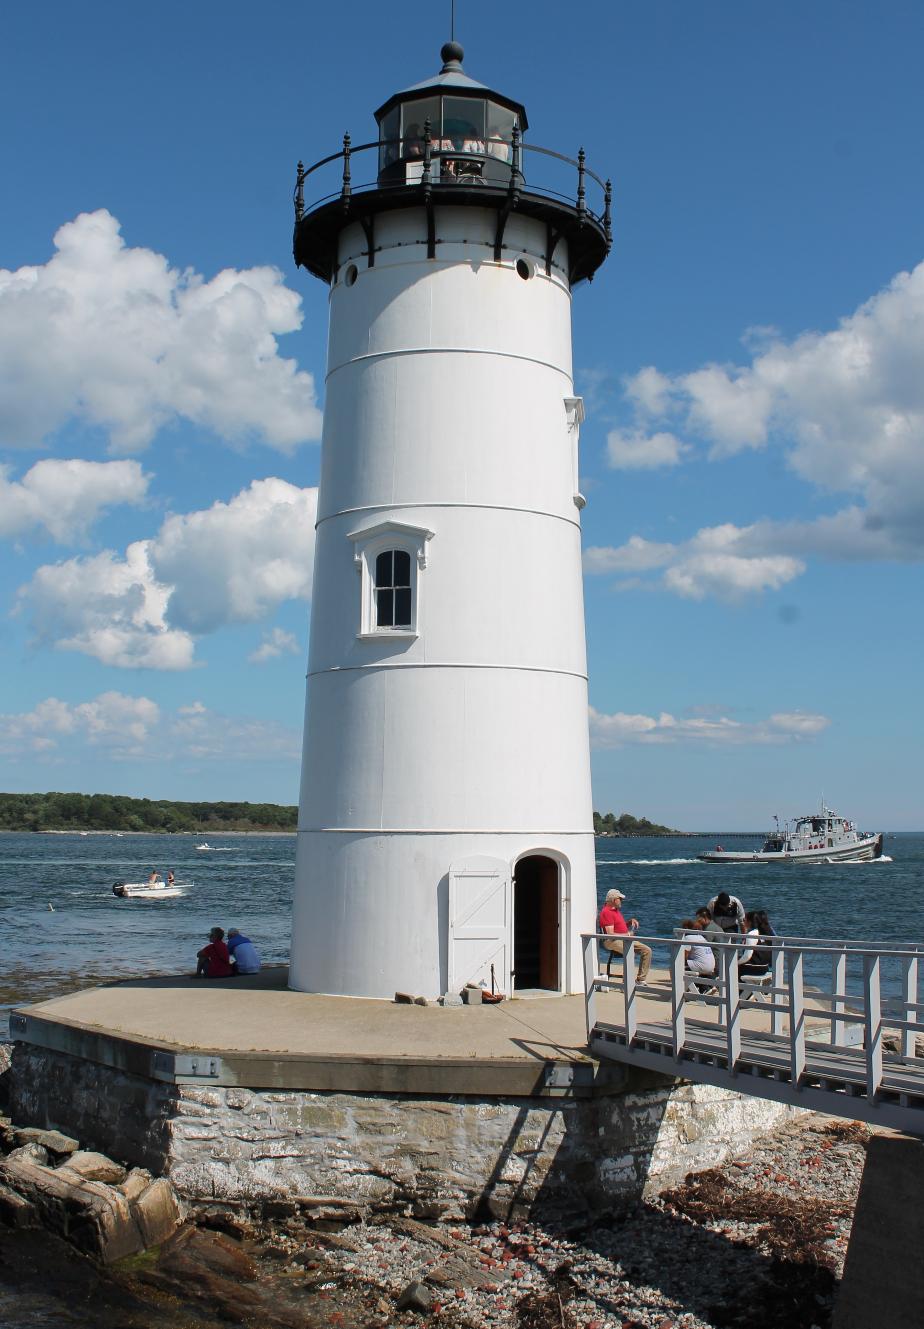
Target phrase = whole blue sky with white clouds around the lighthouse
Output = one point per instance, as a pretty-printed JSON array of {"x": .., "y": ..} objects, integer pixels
[{"x": 752, "y": 359}]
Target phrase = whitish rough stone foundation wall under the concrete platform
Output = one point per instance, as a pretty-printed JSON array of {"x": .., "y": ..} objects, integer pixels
[{"x": 431, "y": 1158}]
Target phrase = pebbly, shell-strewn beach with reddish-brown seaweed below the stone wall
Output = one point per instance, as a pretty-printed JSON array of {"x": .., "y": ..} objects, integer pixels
[{"x": 758, "y": 1242}]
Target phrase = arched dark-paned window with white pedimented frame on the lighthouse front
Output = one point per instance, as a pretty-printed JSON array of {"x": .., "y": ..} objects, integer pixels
[{"x": 390, "y": 558}]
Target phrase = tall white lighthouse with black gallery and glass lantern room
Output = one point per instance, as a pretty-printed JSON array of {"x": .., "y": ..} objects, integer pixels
[{"x": 446, "y": 818}]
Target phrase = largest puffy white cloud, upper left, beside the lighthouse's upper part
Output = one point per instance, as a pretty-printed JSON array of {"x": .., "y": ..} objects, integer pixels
[{"x": 114, "y": 337}]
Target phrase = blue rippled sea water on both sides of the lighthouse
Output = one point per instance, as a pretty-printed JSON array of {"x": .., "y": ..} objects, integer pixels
[{"x": 247, "y": 882}]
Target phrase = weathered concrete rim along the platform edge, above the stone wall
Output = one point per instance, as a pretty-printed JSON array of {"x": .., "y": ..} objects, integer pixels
[{"x": 346, "y": 1073}]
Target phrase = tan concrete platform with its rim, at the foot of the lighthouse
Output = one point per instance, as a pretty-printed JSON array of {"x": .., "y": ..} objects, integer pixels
[{"x": 257, "y": 1033}]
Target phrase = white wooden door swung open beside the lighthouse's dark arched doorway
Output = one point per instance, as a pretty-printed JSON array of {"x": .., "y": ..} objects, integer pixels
[{"x": 479, "y": 923}]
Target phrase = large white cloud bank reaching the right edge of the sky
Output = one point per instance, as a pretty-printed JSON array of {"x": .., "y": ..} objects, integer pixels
[{"x": 846, "y": 407}]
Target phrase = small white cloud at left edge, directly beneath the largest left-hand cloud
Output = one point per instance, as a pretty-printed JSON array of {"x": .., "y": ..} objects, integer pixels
[{"x": 64, "y": 498}]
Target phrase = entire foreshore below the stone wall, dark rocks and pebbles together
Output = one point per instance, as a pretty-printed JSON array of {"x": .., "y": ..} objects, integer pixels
[{"x": 758, "y": 1242}]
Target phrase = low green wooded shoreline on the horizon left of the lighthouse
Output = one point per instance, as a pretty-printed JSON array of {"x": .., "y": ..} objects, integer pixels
[{"x": 115, "y": 813}]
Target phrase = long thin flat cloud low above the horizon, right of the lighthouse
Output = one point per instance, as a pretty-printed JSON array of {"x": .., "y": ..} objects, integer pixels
[{"x": 622, "y": 729}]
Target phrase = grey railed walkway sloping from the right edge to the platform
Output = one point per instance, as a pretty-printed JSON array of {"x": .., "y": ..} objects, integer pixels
[{"x": 832, "y": 1027}]
